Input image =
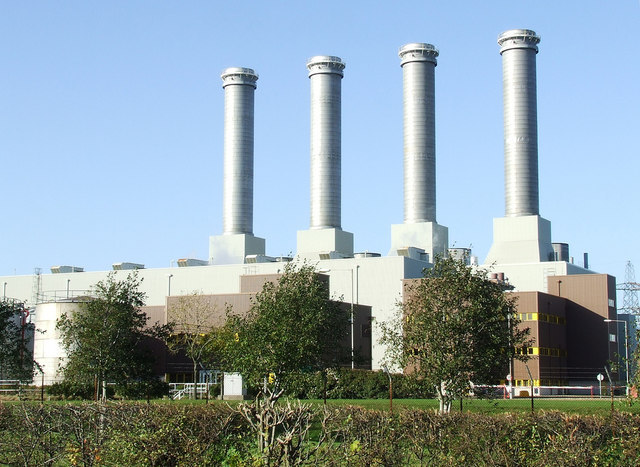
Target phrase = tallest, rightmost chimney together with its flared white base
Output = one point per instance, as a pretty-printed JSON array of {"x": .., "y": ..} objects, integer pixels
[{"x": 521, "y": 236}]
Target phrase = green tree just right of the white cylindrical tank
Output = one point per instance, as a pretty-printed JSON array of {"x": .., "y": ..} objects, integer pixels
[{"x": 104, "y": 336}]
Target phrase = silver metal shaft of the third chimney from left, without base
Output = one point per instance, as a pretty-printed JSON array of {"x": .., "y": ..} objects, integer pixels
[{"x": 418, "y": 62}]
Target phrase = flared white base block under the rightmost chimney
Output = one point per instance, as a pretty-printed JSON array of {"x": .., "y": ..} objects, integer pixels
[{"x": 521, "y": 239}]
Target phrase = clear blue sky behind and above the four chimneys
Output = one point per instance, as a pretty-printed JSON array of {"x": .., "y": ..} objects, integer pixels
[{"x": 111, "y": 123}]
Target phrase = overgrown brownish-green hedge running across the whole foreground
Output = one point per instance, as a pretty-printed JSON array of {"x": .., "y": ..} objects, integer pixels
[{"x": 217, "y": 434}]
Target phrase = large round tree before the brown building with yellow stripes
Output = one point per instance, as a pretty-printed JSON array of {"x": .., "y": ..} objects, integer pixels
[{"x": 453, "y": 328}]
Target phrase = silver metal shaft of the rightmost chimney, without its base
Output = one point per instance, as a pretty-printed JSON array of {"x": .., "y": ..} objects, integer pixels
[{"x": 518, "y": 48}]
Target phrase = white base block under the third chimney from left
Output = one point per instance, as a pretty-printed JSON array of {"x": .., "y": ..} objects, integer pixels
[{"x": 431, "y": 237}]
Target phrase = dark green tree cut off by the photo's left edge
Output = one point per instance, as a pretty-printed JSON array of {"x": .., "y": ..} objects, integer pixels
[{"x": 16, "y": 358}]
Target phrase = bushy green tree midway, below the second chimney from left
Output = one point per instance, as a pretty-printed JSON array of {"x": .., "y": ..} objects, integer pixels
[{"x": 292, "y": 326}]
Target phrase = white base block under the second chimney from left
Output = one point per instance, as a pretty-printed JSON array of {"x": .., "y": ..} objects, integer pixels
[{"x": 330, "y": 243}]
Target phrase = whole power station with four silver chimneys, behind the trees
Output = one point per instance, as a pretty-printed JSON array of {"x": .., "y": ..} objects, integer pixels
[{"x": 564, "y": 304}]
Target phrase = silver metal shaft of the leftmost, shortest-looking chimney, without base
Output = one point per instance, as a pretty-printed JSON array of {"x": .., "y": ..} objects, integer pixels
[{"x": 239, "y": 85}]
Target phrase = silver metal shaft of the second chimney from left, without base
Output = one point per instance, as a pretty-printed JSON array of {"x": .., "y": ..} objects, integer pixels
[{"x": 325, "y": 73}]
